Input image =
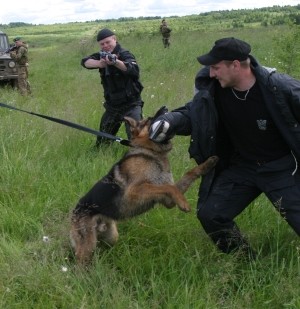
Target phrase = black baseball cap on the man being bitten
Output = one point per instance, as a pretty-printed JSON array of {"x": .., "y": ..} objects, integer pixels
[{"x": 226, "y": 49}]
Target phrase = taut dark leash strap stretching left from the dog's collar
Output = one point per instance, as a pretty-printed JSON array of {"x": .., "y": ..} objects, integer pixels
[{"x": 72, "y": 125}]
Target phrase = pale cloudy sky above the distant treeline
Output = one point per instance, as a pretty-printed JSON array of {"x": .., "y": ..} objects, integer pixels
[{"x": 64, "y": 11}]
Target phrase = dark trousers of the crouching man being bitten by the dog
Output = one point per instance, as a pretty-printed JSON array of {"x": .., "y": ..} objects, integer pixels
[{"x": 236, "y": 187}]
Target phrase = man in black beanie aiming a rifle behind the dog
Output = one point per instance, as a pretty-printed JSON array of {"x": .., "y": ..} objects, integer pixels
[{"x": 119, "y": 73}]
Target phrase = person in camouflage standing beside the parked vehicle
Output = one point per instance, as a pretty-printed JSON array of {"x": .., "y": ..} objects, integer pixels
[{"x": 20, "y": 55}]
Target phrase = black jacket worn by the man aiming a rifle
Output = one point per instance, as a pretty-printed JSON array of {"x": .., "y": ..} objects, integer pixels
[{"x": 120, "y": 87}]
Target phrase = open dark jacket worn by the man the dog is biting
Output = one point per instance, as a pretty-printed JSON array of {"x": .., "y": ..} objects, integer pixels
[{"x": 199, "y": 118}]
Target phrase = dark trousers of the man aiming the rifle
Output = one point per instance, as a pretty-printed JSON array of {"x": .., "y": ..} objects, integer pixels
[{"x": 112, "y": 119}]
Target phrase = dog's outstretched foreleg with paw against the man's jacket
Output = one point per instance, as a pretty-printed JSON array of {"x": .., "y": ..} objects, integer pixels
[{"x": 188, "y": 178}]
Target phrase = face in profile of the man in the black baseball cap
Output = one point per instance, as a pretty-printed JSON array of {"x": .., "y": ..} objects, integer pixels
[{"x": 224, "y": 72}]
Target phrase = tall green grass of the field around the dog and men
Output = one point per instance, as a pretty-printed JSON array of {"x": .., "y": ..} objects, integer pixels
[{"x": 163, "y": 259}]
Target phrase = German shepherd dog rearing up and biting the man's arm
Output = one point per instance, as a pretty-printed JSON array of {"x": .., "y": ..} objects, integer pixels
[{"x": 133, "y": 186}]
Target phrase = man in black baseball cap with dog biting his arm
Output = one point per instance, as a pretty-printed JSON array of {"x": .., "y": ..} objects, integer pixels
[{"x": 249, "y": 116}]
